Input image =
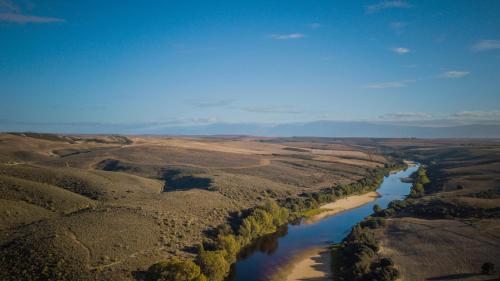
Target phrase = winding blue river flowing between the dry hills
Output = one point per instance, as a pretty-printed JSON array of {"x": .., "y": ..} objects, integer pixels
[{"x": 261, "y": 260}]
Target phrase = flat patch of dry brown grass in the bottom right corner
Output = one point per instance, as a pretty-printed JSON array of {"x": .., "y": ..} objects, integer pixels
[{"x": 425, "y": 249}]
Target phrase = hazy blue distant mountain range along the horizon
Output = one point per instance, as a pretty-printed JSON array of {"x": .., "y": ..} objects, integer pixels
[{"x": 316, "y": 128}]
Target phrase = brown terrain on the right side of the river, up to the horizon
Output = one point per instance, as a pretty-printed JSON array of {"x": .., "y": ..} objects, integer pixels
[{"x": 449, "y": 245}]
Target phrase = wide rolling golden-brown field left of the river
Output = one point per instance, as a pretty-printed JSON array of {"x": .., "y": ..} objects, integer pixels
[{"x": 107, "y": 207}]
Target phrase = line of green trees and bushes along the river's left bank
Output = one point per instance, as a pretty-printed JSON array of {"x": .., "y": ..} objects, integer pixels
[{"x": 214, "y": 258}]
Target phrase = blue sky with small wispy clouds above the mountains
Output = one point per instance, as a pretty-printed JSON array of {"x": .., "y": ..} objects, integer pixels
[{"x": 200, "y": 62}]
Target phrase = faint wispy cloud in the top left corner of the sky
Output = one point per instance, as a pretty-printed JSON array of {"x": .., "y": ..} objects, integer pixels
[{"x": 10, "y": 12}]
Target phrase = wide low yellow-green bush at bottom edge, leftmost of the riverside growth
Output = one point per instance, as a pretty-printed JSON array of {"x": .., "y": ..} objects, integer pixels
[{"x": 175, "y": 269}]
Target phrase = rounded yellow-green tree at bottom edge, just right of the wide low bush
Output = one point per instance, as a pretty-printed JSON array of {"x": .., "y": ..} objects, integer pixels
[{"x": 213, "y": 264}]
